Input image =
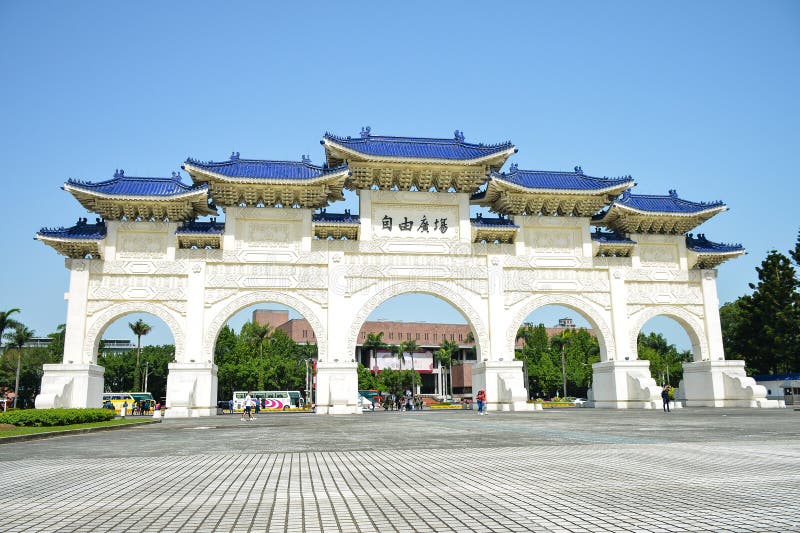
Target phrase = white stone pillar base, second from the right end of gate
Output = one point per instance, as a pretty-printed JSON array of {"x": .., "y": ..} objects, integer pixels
[{"x": 624, "y": 385}]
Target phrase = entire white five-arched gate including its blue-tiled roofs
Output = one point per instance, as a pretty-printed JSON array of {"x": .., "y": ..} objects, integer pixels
[{"x": 413, "y": 234}]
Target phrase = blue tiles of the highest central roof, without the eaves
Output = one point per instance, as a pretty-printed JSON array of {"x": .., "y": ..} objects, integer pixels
[{"x": 417, "y": 147}]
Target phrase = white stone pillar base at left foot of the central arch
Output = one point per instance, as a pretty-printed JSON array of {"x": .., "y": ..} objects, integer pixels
[{"x": 337, "y": 389}]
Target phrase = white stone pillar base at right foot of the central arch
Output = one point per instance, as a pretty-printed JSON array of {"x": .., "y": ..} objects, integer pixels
[{"x": 504, "y": 385}]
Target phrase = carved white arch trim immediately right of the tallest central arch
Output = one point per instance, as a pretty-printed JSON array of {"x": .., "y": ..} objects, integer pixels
[{"x": 590, "y": 311}]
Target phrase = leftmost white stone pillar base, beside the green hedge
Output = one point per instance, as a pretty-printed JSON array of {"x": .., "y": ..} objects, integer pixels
[{"x": 70, "y": 385}]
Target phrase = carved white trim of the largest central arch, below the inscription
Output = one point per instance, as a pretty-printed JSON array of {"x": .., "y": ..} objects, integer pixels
[{"x": 440, "y": 290}]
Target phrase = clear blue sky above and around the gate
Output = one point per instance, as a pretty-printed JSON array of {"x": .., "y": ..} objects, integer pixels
[{"x": 695, "y": 96}]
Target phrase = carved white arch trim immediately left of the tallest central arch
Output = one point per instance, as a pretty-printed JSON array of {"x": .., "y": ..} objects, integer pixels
[{"x": 257, "y": 297}]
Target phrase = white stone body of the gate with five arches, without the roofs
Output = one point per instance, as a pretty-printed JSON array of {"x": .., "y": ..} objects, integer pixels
[{"x": 270, "y": 255}]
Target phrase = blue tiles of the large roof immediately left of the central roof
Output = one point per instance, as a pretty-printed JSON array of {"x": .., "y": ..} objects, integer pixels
[{"x": 263, "y": 169}]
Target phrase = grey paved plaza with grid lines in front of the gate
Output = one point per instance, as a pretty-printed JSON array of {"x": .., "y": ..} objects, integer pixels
[{"x": 565, "y": 470}]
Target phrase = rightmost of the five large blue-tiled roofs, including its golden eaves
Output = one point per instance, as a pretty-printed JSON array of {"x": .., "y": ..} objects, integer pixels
[{"x": 647, "y": 213}]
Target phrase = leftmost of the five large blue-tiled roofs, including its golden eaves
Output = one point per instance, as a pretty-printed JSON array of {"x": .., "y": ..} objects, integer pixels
[{"x": 144, "y": 198}]
